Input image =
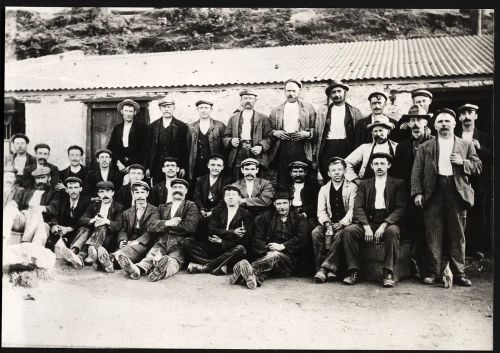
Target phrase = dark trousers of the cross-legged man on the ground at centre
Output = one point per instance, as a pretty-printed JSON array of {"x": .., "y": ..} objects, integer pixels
[{"x": 213, "y": 256}]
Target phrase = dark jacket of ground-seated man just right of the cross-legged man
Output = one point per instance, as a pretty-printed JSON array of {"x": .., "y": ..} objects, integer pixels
[{"x": 264, "y": 227}]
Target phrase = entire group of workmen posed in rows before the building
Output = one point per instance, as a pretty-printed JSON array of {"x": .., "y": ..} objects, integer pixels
[{"x": 203, "y": 196}]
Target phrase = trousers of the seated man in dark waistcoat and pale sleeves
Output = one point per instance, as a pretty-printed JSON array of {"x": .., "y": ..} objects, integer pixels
[{"x": 326, "y": 248}]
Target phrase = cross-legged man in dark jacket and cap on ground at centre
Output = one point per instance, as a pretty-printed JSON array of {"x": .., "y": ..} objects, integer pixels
[{"x": 229, "y": 232}]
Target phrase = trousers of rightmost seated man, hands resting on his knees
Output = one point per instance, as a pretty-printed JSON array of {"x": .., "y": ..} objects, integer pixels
[{"x": 353, "y": 236}]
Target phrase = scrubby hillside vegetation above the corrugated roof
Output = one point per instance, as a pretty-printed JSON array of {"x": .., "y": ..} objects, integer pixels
[{"x": 96, "y": 31}]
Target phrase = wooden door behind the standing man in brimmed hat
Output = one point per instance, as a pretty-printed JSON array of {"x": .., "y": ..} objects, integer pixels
[{"x": 103, "y": 116}]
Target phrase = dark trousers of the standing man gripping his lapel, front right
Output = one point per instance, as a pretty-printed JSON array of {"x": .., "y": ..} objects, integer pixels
[{"x": 445, "y": 218}]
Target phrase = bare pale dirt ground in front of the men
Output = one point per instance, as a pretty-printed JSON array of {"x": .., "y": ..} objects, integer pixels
[{"x": 93, "y": 309}]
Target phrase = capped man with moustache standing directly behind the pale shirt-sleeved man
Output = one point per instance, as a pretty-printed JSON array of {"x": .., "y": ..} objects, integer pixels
[{"x": 378, "y": 101}]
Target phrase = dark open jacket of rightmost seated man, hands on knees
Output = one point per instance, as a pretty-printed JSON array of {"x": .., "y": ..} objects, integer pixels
[{"x": 395, "y": 197}]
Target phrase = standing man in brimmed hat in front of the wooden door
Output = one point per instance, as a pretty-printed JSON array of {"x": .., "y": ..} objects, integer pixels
[{"x": 128, "y": 138}]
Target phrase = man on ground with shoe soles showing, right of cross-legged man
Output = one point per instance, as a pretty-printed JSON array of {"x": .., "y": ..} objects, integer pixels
[{"x": 279, "y": 236}]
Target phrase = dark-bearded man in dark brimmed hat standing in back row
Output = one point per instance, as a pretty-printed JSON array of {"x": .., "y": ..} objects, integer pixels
[{"x": 335, "y": 127}]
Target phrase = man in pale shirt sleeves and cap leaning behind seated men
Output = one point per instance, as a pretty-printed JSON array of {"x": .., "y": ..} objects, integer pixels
[{"x": 361, "y": 156}]
